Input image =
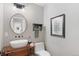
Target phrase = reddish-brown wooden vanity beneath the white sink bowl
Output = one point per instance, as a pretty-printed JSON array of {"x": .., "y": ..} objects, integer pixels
[{"x": 24, "y": 51}]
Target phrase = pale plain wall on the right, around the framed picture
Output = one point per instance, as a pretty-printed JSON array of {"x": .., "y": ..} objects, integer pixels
[{"x": 69, "y": 45}]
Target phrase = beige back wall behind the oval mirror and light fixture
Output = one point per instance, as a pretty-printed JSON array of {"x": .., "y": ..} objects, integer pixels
[{"x": 33, "y": 13}]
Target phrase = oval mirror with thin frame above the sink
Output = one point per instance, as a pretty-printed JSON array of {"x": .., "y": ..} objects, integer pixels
[{"x": 18, "y": 23}]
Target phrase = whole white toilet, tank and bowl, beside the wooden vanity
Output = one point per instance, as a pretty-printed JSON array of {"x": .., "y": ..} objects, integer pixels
[{"x": 40, "y": 50}]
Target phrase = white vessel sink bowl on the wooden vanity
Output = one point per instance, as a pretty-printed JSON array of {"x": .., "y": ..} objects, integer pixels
[{"x": 18, "y": 43}]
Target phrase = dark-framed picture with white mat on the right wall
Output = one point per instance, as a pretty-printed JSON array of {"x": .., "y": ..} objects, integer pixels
[{"x": 58, "y": 25}]
